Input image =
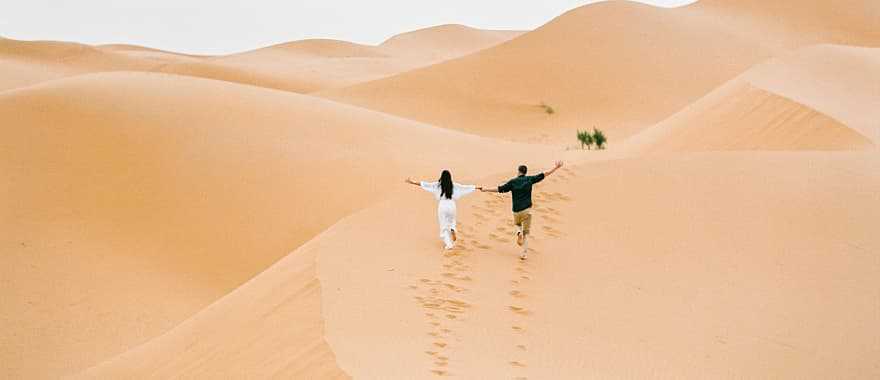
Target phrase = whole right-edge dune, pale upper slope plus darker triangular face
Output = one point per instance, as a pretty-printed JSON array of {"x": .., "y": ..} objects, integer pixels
[{"x": 762, "y": 109}]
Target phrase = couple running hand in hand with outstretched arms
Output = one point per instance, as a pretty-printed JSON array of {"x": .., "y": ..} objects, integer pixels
[{"x": 447, "y": 192}]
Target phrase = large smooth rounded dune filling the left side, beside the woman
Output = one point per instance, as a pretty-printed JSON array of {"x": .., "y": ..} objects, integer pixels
[{"x": 129, "y": 189}]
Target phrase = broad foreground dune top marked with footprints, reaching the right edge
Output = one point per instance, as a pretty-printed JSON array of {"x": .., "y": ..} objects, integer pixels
[{"x": 739, "y": 265}]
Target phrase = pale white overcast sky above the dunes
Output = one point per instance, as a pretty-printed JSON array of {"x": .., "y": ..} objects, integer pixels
[{"x": 225, "y": 26}]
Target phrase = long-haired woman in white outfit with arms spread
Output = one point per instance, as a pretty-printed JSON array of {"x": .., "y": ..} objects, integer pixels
[{"x": 446, "y": 193}]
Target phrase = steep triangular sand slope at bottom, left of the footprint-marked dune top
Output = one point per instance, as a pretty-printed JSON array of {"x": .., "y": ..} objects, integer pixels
[{"x": 270, "y": 327}]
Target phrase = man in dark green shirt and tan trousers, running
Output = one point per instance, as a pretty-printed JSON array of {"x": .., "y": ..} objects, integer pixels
[{"x": 521, "y": 189}]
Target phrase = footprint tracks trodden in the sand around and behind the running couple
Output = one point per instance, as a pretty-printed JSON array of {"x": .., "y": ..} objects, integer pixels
[{"x": 443, "y": 295}]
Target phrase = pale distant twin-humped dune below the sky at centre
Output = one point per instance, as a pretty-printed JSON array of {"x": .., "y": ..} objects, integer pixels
[{"x": 312, "y": 65}]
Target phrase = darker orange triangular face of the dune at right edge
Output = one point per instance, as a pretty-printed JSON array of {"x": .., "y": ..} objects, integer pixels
[{"x": 741, "y": 117}]
